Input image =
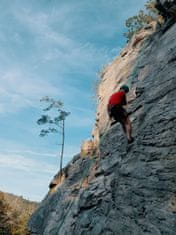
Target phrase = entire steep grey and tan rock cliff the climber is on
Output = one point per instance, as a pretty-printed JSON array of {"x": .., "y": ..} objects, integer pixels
[{"x": 125, "y": 189}]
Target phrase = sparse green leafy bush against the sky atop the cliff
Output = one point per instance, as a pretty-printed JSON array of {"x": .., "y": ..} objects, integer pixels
[{"x": 142, "y": 19}]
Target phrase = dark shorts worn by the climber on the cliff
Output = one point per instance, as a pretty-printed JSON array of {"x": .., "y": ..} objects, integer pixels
[{"x": 118, "y": 113}]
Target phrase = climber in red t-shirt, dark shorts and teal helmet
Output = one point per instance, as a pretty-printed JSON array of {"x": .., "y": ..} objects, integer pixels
[{"x": 118, "y": 113}]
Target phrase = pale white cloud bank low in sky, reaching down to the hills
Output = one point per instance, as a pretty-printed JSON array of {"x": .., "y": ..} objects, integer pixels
[{"x": 28, "y": 172}]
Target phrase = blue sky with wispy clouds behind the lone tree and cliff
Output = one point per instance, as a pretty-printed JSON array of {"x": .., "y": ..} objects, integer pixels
[{"x": 54, "y": 48}]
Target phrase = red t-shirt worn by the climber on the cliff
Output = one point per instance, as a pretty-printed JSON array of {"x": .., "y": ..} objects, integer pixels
[{"x": 117, "y": 98}]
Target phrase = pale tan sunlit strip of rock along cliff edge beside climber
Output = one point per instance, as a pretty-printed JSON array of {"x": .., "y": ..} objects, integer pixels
[{"x": 122, "y": 70}]
